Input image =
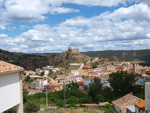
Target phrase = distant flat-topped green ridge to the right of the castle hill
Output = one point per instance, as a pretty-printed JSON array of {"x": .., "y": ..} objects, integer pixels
[{"x": 128, "y": 55}]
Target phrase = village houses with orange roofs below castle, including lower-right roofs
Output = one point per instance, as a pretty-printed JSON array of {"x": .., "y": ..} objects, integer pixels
[{"x": 85, "y": 74}]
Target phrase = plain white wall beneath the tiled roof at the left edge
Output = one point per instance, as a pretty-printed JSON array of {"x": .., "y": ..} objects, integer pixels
[{"x": 9, "y": 91}]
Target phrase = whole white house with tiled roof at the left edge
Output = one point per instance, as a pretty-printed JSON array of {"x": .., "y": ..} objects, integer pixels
[{"x": 10, "y": 87}]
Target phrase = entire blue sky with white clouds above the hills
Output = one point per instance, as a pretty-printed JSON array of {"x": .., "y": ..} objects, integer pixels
[{"x": 51, "y": 26}]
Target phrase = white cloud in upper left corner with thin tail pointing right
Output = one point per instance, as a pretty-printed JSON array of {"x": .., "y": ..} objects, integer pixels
[{"x": 29, "y": 10}]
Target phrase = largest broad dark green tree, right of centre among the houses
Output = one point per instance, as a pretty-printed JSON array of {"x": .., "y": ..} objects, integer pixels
[{"x": 122, "y": 82}]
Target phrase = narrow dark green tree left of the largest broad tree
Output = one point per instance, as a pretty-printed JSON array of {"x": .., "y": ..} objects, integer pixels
[{"x": 95, "y": 88}]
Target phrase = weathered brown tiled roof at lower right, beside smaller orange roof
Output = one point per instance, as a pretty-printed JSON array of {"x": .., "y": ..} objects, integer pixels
[{"x": 126, "y": 100}]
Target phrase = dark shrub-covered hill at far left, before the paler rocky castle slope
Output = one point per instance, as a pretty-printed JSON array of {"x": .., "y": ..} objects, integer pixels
[{"x": 28, "y": 61}]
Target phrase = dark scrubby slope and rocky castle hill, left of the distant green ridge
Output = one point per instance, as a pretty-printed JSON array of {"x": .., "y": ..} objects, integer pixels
[{"x": 33, "y": 61}]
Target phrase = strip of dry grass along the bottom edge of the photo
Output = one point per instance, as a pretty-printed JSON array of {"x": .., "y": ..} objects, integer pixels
[{"x": 80, "y": 110}]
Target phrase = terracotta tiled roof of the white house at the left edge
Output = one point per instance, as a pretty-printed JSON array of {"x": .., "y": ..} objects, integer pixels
[{"x": 7, "y": 67}]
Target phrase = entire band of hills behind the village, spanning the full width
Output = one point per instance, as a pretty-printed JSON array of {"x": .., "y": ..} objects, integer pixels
[{"x": 33, "y": 61}]
